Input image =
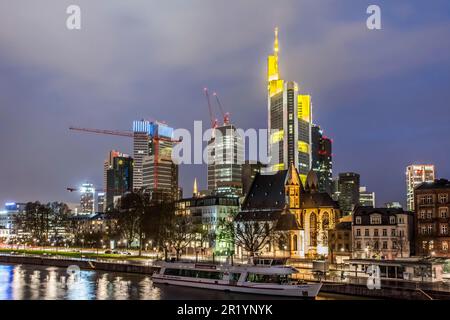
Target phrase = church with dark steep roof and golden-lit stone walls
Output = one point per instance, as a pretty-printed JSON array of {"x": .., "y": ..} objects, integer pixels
[{"x": 298, "y": 211}]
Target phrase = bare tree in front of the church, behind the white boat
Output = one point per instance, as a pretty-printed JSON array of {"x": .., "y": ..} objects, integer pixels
[{"x": 252, "y": 236}]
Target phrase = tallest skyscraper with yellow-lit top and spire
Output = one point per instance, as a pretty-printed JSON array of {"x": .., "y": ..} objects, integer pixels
[{"x": 289, "y": 120}]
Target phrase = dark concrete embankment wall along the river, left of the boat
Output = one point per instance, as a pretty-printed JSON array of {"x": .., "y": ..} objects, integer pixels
[{"x": 83, "y": 264}]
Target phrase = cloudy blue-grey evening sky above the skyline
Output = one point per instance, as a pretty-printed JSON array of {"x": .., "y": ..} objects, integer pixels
[{"x": 383, "y": 96}]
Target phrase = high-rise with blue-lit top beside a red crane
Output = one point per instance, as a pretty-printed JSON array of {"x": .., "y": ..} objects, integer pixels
[{"x": 154, "y": 169}]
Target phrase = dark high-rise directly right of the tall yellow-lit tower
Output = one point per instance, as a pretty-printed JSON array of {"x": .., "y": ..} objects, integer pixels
[{"x": 322, "y": 159}]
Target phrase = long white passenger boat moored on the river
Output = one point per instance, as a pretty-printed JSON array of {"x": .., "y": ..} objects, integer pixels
[{"x": 265, "y": 277}]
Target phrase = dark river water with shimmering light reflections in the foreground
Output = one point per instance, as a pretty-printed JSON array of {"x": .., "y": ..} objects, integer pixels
[{"x": 28, "y": 282}]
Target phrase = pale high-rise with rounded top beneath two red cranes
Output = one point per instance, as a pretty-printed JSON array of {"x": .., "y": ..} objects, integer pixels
[{"x": 225, "y": 157}]
